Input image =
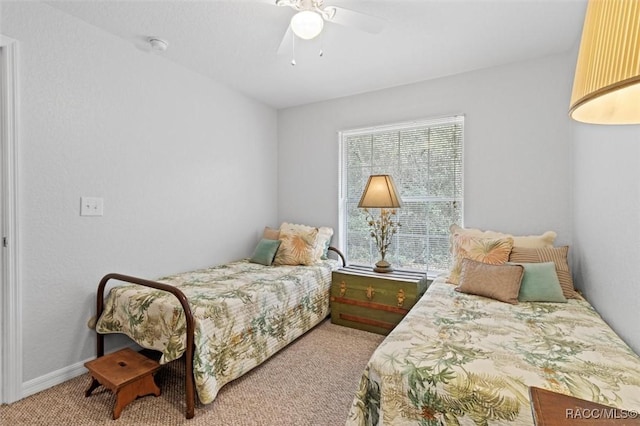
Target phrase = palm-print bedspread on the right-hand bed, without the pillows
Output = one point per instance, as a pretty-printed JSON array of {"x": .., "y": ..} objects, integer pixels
[{"x": 468, "y": 360}]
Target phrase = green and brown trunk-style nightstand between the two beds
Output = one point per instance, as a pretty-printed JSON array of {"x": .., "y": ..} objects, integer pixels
[{"x": 371, "y": 301}]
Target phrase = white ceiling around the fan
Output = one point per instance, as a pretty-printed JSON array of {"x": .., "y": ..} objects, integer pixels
[{"x": 235, "y": 42}]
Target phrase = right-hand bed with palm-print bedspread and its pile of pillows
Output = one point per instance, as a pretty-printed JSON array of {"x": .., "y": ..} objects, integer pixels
[{"x": 505, "y": 318}]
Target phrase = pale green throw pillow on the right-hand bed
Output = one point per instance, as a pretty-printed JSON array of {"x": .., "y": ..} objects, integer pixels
[{"x": 540, "y": 283}]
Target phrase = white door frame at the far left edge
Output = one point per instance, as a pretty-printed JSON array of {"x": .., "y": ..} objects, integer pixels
[{"x": 10, "y": 291}]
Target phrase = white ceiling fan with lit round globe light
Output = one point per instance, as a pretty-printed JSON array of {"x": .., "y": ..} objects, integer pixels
[{"x": 311, "y": 15}]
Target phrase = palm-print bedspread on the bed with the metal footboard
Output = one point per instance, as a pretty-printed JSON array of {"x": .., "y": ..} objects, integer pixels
[{"x": 244, "y": 313}]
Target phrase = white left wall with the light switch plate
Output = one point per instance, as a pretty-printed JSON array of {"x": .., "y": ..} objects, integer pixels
[{"x": 167, "y": 149}]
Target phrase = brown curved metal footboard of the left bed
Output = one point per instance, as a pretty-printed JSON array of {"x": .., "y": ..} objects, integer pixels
[{"x": 189, "y": 381}]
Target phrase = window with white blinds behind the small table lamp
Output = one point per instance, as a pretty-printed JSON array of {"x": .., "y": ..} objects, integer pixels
[{"x": 425, "y": 160}]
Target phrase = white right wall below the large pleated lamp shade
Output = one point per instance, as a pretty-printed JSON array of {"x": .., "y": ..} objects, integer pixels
[{"x": 607, "y": 223}]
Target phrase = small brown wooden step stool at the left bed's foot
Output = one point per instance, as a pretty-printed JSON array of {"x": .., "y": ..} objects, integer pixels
[{"x": 127, "y": 373}]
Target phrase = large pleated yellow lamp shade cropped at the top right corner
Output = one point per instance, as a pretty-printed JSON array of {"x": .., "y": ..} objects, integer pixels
[{"x": 606, "y": 87}]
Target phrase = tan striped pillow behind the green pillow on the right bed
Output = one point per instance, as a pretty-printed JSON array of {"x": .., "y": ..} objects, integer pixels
[{"x": 557, "y": 255}]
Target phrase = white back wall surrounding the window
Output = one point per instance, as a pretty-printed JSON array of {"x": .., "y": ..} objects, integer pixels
[{"x": 517, "y": 145}]
